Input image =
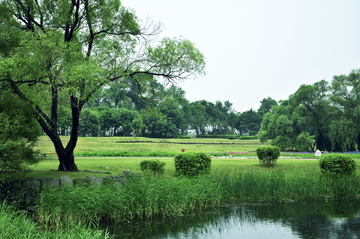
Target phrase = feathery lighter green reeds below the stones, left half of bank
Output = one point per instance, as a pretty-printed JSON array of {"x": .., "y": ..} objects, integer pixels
[{"x": 136, "y": 199}]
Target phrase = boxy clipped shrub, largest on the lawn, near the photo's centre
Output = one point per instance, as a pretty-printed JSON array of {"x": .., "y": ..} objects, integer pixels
[{"x": 192, "y": 164}]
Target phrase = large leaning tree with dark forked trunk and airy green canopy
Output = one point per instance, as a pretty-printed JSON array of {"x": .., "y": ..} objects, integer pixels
[{"x": 64, "y": 51}]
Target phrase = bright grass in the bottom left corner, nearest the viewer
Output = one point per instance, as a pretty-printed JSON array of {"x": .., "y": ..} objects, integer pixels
[{"x": 14, "y": 224}]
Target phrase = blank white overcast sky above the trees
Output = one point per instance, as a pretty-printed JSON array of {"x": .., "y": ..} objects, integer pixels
[{"x": 259, "y": 48}]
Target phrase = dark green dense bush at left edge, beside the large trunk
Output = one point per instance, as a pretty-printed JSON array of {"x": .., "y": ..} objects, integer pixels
[{"x": 18, "y": 133}]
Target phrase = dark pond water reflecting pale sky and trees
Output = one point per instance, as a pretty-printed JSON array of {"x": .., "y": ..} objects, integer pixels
[{"x": 312, "y": 219}]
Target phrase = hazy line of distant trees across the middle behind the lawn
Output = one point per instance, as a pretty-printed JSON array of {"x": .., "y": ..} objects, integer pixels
[{"x": 156, "y": 111}]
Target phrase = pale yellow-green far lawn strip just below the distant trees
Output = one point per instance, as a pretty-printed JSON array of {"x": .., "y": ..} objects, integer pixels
[{"x": 108, "y": 144}]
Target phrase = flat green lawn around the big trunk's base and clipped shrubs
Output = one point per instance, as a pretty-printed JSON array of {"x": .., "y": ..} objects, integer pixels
[{"x": 118, "y": 165}]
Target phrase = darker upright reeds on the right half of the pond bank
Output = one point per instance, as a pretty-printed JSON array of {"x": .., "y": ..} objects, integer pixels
[{"x": 255, "y": 186}]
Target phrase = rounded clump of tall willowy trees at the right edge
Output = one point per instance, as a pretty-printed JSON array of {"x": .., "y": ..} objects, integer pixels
[{"x": 330, "y": 112}]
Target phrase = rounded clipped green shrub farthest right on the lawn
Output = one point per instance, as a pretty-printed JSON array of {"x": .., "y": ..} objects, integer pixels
[{"x": 337, "y": 165}]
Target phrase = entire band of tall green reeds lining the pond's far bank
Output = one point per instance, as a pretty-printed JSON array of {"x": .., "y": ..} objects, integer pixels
[{"x": 75, "y": 208}]
